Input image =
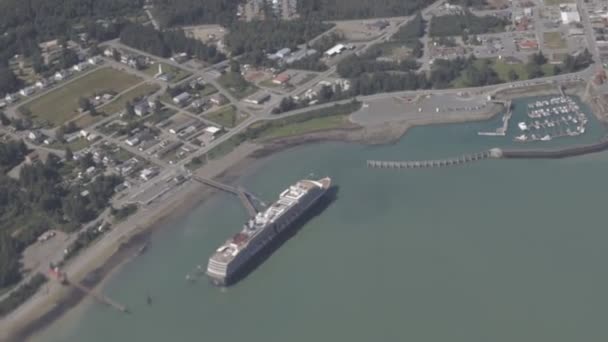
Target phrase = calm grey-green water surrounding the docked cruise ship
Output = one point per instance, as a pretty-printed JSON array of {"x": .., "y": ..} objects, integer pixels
[{"x": 495, "y": 251}]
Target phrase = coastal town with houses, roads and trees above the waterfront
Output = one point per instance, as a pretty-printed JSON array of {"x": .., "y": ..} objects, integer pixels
[{"x": 124, "y": 120}]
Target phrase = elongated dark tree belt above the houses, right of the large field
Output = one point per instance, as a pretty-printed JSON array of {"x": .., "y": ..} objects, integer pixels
[{"x": 165, "y": 43}]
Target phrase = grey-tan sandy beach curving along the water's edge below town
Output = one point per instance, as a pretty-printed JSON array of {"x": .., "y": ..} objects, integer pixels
[{"x": 120, "y": 245}]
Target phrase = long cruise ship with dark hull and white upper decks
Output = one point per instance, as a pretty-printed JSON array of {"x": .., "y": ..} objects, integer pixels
[{"x": 230, "y": 259}]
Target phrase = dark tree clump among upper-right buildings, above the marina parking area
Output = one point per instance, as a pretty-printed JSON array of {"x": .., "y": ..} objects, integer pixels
[{"x": 465, "y": 23}]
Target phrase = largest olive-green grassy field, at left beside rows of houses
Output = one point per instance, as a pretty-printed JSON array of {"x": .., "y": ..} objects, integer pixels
[{"x": 61, "y": 105}]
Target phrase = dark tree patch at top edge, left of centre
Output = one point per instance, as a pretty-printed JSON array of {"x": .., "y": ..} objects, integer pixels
[{"x": 190, "y": 12}]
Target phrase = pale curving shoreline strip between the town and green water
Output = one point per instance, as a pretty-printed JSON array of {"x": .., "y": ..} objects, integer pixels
[{"x": 181, "y": 200}]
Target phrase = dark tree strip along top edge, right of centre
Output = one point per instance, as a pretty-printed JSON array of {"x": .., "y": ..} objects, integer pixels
[{"x": 357, "y": 9}]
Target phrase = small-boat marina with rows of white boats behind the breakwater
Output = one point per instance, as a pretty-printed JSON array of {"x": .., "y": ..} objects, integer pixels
[{"x": 559, "y": 116}]
